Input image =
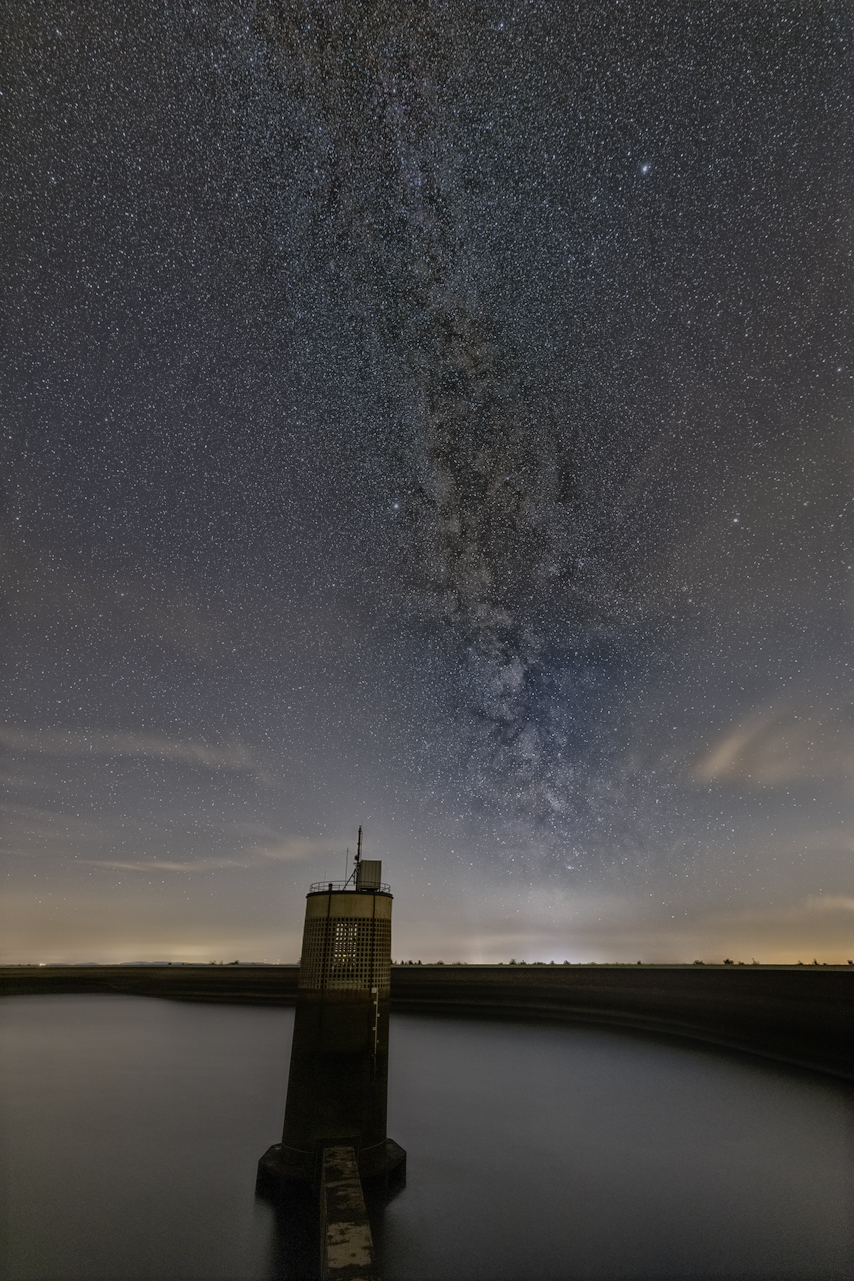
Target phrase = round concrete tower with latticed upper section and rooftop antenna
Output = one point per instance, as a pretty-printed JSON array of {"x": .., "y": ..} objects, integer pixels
[{"x": 339, "y": 1081}]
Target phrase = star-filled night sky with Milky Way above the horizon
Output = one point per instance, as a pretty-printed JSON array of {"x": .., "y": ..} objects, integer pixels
[{"x": 435, "y": 417}]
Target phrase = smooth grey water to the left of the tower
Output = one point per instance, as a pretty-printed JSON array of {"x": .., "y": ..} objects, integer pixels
[{"x": 133, "y": 1129}]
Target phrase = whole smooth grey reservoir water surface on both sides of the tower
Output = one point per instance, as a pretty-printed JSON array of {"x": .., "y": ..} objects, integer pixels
[{"x": 133, "y": 1128}]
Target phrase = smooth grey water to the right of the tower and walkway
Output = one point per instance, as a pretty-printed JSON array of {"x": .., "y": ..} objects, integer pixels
[{"x": 573, "y": 1152}]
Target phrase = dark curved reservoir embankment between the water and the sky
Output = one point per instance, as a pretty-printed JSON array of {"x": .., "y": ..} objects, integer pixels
[{"x": 800, "y": 1014}]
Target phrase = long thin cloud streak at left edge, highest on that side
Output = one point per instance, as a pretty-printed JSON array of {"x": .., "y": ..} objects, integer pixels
[{"x": 97, "y": 744}]
